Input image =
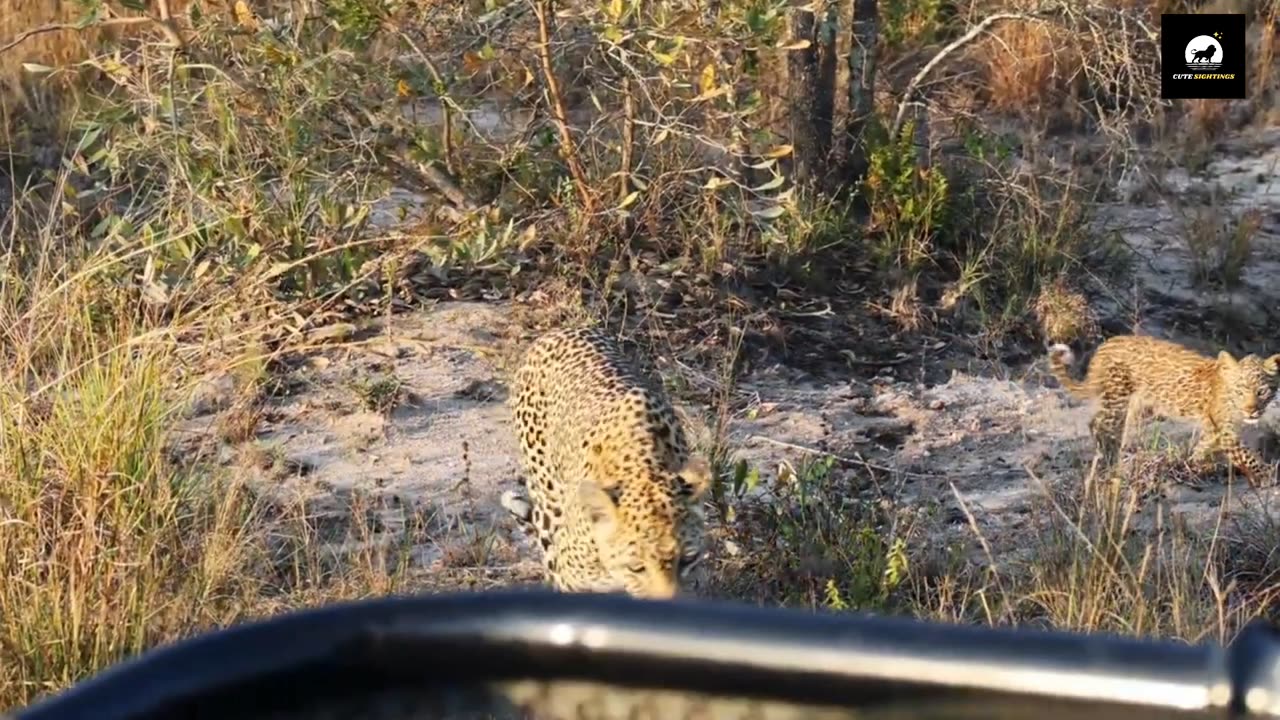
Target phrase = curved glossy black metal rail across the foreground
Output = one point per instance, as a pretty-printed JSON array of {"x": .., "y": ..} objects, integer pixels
[{"x": 524, "y": 648}]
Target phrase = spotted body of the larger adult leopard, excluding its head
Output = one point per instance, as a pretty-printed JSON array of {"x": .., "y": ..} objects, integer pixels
[{"x": 580, "y": 403}]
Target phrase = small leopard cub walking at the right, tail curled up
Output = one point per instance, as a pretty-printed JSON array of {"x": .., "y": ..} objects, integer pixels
[{"x": 1176, "y": 382}]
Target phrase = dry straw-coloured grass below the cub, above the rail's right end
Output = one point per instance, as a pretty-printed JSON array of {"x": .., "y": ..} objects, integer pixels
[{"x": 1105, "y": 557}]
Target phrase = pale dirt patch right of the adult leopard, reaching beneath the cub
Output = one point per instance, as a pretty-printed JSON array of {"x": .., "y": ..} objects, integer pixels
[{"x": 975, "y": 455}]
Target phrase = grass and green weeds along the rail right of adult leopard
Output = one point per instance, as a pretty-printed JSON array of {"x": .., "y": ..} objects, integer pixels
[{"x": 1100, "y": 557}]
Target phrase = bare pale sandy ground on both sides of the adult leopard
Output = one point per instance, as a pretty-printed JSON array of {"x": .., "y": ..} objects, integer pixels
[{"x": 975, "y": 454}]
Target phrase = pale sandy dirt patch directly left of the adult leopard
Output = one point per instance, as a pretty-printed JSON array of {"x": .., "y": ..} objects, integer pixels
[{"x": 410, "y": 430}]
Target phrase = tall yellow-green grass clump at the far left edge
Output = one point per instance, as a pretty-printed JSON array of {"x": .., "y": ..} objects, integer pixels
[{"x": 108, "y": 546}]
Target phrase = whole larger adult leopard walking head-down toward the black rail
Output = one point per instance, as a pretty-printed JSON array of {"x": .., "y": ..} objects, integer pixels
[{"x": 614, "y": 498}]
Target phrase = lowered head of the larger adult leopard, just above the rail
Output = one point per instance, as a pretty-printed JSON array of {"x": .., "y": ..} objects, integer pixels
[{"x": 648, "y": 526}]
